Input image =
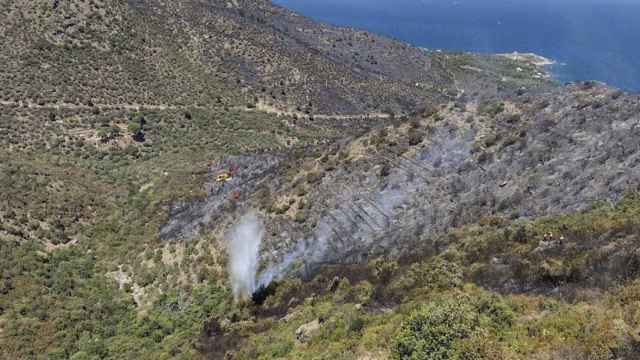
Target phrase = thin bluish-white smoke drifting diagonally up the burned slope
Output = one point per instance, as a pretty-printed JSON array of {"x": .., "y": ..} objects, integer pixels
[{"x": 377, "y": 208}]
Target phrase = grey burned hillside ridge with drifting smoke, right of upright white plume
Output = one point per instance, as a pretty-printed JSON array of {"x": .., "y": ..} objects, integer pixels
[{"x": 522, "y": 157}]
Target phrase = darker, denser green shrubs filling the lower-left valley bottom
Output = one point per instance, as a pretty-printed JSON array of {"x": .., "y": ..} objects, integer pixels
[{"x": 58, "y": 306}]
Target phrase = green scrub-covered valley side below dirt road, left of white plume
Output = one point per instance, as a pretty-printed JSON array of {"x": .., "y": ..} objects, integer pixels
[{"x": 74, "y": 212}]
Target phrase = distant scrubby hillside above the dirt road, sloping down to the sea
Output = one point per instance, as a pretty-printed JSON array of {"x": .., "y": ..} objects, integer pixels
[{"x": 163, "y": 53}]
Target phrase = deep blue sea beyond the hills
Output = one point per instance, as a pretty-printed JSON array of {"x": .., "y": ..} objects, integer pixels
[{"x": 589, "y": 39}]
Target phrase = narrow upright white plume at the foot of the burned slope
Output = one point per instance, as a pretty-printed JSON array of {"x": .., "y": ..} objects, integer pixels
[{"x": 244, "y": 247}]
